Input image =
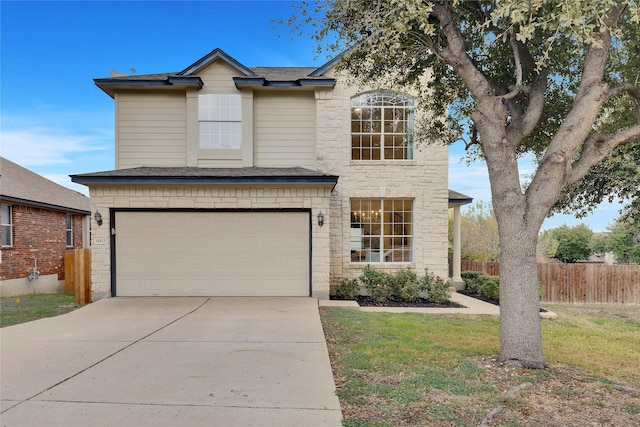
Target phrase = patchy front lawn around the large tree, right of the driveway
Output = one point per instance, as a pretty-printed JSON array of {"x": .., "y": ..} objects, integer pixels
[{"x": 441, "y": 370}]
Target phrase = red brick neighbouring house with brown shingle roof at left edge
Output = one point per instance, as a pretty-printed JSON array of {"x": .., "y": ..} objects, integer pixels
[{"x": 41, "y": 220}]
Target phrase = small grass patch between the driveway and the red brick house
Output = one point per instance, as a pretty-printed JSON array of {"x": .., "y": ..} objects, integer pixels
[{"x": 25, "y": 308}]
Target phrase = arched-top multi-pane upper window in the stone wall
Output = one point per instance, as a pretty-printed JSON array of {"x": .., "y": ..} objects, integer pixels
[{"x": 382, "y": 126}]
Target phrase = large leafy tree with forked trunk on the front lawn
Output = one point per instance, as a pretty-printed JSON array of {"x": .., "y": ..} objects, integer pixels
[{"x": 539, "y": 76}]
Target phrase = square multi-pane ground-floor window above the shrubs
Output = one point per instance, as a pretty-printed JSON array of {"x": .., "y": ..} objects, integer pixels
[{"x": 381, "y": 230}]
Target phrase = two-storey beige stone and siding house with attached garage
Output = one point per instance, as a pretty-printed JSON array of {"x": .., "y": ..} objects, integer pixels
[{"x": 241, "y": 181}]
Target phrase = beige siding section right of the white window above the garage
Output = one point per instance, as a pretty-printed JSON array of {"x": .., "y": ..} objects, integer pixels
[{"x": 285, "y": 130}]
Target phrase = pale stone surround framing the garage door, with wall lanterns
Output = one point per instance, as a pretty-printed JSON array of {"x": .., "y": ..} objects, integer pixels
[{"x": 104, "y": 197}]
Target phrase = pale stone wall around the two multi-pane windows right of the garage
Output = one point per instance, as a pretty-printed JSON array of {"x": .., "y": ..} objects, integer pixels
[{"x": 423, "y": 179}]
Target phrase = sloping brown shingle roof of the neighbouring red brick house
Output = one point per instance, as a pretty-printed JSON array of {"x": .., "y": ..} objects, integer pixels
[{"x": 20, "y": 185}]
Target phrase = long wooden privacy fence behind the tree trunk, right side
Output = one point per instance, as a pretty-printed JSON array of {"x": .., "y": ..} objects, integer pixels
[{"x": 579, "y": 283}]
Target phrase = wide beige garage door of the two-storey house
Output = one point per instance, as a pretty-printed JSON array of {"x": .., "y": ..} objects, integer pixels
[{"x": 212, "y": 253}]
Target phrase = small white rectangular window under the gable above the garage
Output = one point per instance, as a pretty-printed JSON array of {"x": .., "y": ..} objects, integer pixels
[{"x": 220, "y": 121}]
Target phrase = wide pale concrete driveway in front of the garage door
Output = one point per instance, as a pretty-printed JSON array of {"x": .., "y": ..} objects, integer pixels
[{"x": 171, "y": 362}]
